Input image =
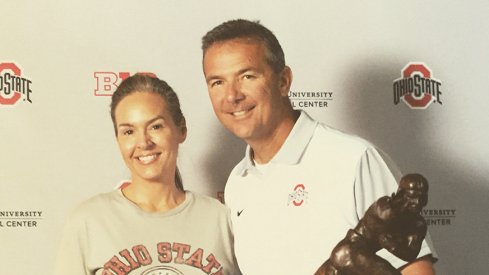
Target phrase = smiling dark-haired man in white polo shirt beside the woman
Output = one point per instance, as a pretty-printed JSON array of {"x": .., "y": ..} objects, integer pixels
[{"x": 301, "y": 185}]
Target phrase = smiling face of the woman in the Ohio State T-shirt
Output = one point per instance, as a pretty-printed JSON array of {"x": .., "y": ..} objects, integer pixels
[{"x": 147, "y": 136}]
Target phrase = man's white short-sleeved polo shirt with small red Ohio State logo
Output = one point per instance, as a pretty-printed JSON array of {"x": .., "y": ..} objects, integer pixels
[{"x": 290, "y": 213}]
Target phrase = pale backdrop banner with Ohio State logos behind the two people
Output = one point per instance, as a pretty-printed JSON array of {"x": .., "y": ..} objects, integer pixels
[{"x": 410, "y": 76}]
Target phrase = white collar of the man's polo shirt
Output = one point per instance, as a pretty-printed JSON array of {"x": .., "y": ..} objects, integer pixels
[{"x": 293, "y": 147}]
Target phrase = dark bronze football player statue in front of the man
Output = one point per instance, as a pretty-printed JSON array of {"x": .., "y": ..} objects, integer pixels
[{"x": 394, "y": 223}]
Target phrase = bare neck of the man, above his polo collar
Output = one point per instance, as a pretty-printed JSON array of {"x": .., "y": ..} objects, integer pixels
[{"x": 264, "y": 150}]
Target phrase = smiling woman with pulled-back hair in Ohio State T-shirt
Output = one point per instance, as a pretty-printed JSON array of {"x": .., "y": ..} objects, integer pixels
[{"x": 149, "y": 225}]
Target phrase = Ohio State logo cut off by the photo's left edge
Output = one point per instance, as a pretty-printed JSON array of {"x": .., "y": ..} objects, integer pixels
[{"x": 14, "y": 87}]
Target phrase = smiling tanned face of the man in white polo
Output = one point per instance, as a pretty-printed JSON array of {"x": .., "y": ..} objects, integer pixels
[{"x": 246, "y": 93}]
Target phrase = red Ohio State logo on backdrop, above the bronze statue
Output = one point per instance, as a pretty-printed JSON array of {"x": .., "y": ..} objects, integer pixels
[{"x": 417, "y": 87}]
